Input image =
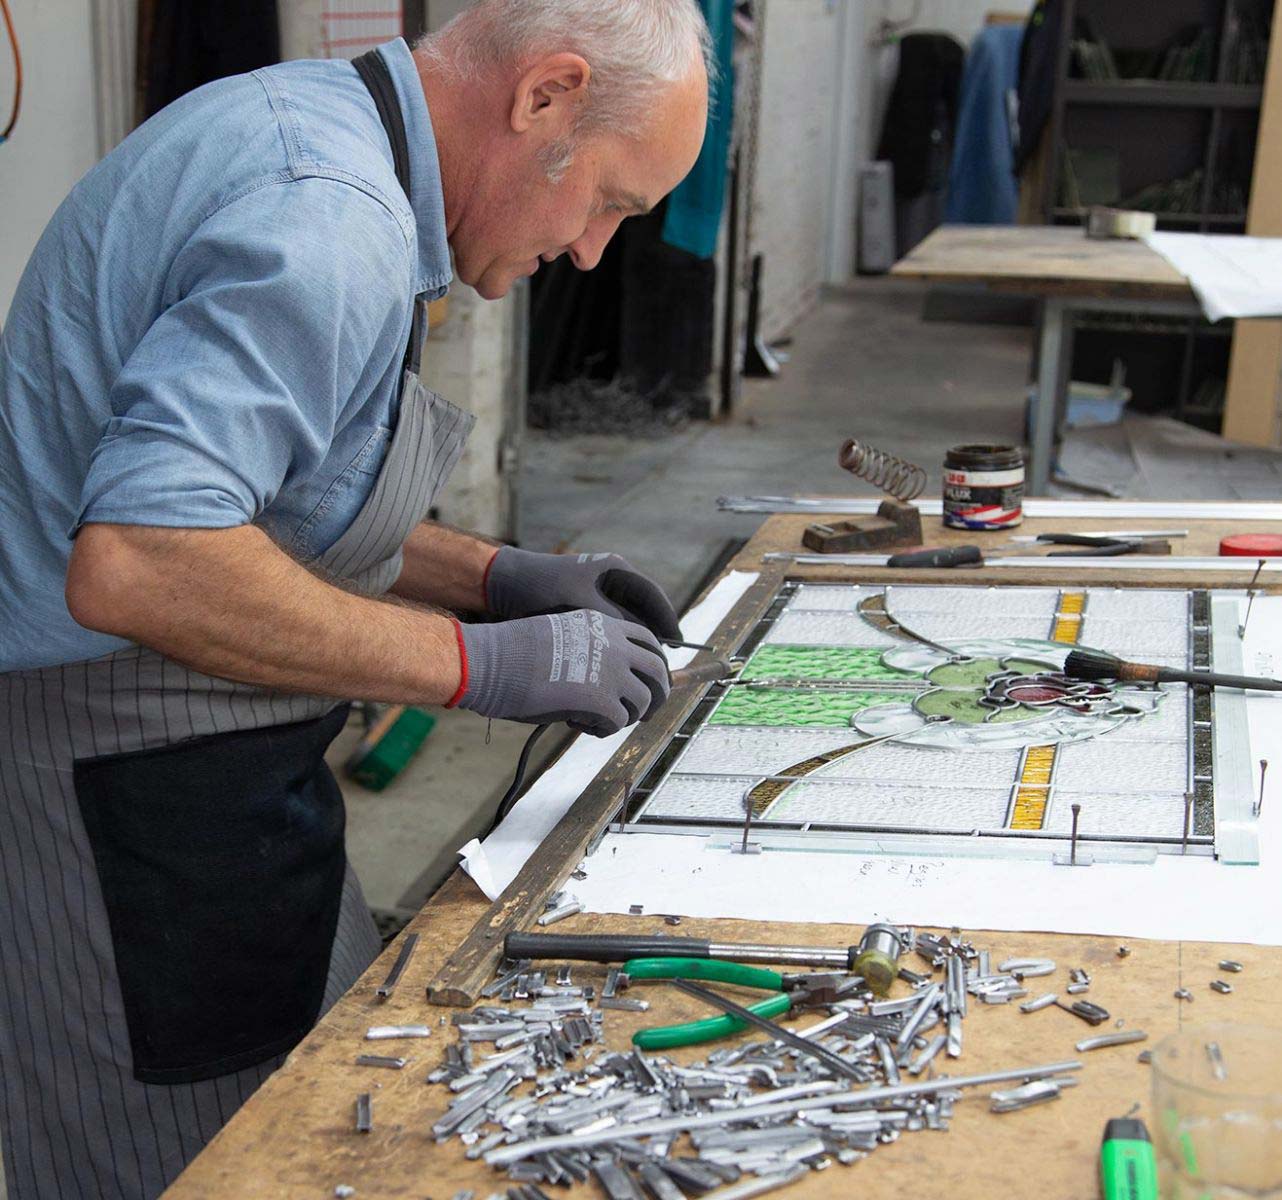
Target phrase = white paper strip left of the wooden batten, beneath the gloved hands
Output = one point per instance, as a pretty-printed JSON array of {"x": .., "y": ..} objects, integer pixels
[{"x": 495, "y": 863}]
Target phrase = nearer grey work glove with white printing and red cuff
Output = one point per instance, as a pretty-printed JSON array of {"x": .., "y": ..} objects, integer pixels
[{"x": 595, "y": 672}]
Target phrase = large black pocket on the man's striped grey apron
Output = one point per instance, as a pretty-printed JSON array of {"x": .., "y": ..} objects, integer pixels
[{"x": 221, "y": 862}]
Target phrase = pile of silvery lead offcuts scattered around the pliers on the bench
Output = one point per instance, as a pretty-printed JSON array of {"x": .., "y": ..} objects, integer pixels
[{"x": 751, "y": 1117}]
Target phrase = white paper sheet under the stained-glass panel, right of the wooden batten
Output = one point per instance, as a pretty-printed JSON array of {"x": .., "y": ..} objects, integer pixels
[{"x": 1174, "y": 898}]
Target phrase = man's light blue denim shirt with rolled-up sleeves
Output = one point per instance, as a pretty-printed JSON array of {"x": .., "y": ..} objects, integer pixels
[{"x": 211, "y": 331}]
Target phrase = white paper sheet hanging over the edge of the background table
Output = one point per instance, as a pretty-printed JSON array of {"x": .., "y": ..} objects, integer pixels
[{"x": 1233, "y": 276}]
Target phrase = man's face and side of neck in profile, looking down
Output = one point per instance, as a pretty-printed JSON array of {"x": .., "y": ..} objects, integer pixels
[{"x": 524, "y": 217}]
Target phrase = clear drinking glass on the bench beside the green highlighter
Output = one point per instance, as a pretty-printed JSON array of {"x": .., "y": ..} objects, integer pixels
[{"x": 1217, "y": 1094}]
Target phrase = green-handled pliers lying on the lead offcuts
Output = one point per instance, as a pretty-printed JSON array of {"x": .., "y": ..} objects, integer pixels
[{"x": 790, "y": 993}]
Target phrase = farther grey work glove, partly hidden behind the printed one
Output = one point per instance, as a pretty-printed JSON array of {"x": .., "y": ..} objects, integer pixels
[{"x": 524, "y": 584}]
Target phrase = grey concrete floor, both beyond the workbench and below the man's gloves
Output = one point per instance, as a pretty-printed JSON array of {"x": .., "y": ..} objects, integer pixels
[{"x": 862, "y": 365}]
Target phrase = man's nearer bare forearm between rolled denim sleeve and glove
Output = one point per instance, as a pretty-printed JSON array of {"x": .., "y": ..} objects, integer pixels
[{"x": 231, "y": 604}]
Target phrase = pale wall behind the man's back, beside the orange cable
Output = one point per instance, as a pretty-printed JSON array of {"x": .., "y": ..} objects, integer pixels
[{"x": 56, "y": 140}]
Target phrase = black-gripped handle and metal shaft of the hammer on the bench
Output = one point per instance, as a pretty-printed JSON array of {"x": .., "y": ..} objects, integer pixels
[{"x": 619, "y": 948}]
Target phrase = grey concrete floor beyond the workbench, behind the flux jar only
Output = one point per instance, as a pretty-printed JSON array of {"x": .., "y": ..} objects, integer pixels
[{"x": 862, "y": 366}]
